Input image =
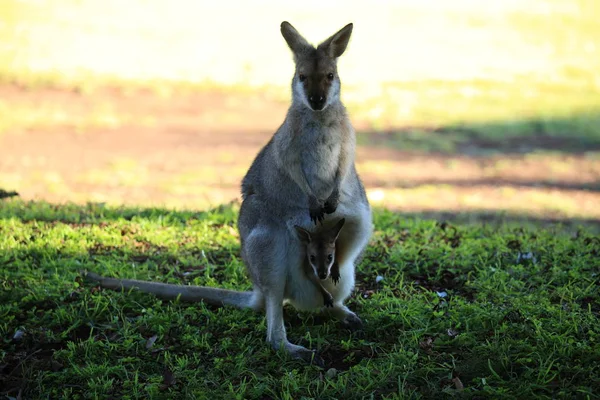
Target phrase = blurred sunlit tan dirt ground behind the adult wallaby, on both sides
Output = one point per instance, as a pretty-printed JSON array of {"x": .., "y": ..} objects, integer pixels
[{"x": 191, "y": 149}]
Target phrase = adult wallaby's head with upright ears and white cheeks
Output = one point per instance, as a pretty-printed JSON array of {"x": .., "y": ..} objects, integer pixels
[{"x": 316, "y": 82}]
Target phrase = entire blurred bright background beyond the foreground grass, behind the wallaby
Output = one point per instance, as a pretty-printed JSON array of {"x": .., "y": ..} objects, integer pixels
[{"x": 482, "y": 109}]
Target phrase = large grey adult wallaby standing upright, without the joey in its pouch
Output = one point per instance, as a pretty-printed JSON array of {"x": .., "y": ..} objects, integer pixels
[{"x": 305, "y": 171}]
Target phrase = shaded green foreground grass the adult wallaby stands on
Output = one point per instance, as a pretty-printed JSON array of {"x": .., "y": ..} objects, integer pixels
[{"x": 511, "y": 326}]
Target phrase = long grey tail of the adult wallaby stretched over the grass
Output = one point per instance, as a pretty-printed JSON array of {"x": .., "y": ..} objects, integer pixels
[{"x": 214, "y": 296}]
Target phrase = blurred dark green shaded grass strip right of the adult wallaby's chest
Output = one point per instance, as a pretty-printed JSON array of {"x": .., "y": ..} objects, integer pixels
[{"x": 578, "y": 134}]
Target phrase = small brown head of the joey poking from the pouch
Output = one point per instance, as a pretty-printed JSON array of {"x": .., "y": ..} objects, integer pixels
[{"x": 320, "y": 247}]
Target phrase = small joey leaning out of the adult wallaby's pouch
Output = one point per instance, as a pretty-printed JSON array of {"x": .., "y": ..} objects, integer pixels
[{"x": 320, "y": 263}]
